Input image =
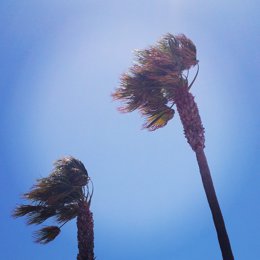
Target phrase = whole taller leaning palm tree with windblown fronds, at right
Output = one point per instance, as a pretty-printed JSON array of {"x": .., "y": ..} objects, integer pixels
[{"x": 154, "y": 84}]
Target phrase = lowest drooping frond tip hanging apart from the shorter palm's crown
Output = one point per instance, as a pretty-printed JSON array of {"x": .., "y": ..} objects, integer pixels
[{"x": 46, "y": 234}]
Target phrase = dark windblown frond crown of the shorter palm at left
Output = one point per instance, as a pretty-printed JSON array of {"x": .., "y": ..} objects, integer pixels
[{"x": 57, "y": 196}]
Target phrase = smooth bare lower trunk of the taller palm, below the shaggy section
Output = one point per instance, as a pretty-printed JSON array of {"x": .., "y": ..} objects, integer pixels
[{"x": 214, "y": 206}]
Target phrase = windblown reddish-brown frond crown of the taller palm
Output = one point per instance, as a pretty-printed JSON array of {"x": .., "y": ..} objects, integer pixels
[{"x": 151, "y": 83}]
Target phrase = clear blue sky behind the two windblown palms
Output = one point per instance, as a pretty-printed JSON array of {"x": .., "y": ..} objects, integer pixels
[{"x": 59, "y": 63}]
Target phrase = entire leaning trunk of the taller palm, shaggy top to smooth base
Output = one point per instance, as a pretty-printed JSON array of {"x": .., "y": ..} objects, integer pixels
[{"x": 194, "y": 132}]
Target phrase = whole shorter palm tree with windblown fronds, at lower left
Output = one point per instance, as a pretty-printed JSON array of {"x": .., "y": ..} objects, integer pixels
[{"x": 63, "y": 195}]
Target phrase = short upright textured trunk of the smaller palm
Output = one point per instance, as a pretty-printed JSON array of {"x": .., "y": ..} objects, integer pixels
[{"x": 85, "y": 227}]
